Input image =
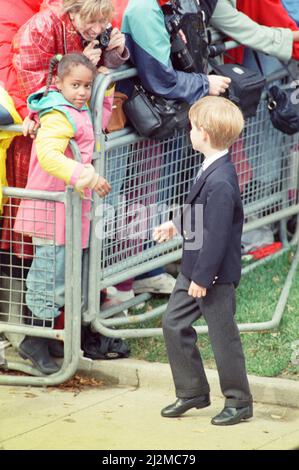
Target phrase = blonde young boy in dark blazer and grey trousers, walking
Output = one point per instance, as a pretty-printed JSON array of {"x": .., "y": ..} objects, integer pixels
[{"x": 210, "y": 270}]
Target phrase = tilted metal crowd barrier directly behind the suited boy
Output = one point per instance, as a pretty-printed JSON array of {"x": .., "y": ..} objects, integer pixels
[{"x": 150, "y": 180}]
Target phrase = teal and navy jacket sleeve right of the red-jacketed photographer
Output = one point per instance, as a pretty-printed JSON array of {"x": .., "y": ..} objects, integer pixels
[{"x": 149, "y": 44}]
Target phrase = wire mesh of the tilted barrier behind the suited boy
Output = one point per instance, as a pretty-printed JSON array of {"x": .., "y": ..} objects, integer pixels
[{"x": 150, "y": 180}]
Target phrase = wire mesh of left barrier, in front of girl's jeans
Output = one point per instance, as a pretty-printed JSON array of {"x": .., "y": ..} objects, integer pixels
[{"x": 28, "y": 277}]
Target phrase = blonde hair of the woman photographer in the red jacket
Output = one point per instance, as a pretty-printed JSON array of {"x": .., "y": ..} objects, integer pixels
[{"x": 90, "y": 9}]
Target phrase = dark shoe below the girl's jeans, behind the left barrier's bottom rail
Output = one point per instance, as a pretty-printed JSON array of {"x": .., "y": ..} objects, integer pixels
[{"x": 36, "y": 349}]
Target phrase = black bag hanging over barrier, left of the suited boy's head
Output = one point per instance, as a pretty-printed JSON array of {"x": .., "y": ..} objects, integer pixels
[{"x": 153, "y": 116}]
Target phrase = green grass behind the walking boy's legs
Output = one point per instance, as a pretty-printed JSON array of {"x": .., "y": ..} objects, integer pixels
[{"x": 267, "y": 354}]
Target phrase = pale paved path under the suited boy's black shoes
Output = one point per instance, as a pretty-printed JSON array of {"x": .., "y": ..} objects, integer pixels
[{"x": 111, "y": 417}]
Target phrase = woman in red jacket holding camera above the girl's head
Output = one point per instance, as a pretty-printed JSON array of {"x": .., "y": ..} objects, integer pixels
[{"x": 75, "y": 28}]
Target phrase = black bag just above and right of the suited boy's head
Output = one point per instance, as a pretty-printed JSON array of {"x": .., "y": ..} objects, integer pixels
[{"x": 245, "y": 88}]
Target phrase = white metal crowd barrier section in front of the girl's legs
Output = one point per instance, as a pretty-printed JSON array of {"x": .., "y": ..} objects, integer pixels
[{"x": 15, "y": 319}]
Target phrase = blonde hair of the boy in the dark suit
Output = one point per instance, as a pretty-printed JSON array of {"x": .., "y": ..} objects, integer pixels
[{"x": 220, "y": 118}]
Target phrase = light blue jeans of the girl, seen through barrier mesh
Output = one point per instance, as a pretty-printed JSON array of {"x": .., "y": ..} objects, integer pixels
[{"x": 46, "y": 281}]
